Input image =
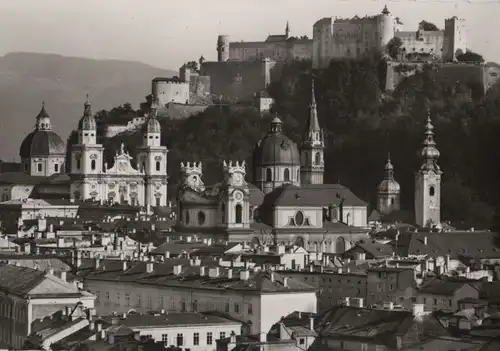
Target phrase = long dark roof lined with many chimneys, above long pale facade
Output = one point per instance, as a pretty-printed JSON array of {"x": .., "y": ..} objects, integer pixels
[{"x": 162, "y": 275}]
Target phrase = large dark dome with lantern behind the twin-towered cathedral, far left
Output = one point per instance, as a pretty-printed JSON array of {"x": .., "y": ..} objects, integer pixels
[{"x": 42, "y": 141}]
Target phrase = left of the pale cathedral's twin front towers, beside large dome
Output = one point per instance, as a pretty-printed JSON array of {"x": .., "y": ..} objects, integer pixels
[{"x": 86, "y": 158}]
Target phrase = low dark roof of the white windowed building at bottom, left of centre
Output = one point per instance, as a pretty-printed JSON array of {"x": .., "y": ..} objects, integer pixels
[{"x": 170, "y": 319}]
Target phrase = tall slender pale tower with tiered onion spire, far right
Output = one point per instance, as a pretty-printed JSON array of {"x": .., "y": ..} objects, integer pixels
[{"x": 428, "y": 182}]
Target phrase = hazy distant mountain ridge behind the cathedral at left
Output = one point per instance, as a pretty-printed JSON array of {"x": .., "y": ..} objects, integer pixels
[{"x": 62, "y": 82}]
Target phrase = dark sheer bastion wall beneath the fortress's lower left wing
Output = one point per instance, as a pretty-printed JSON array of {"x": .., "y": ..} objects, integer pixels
[{"x": 237, "y": 80}]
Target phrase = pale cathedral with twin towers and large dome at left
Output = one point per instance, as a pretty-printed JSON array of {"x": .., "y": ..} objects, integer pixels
[{"x": 45, "y": 174}]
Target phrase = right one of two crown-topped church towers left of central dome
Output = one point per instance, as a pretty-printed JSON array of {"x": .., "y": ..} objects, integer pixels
[{"x": 235, "y": 200}]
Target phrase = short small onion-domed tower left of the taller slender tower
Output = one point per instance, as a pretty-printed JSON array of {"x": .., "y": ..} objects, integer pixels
[{"x": 388, "y": 191}]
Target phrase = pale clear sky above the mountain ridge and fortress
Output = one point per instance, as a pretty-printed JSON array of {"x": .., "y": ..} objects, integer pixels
[{"x": 167, "y": 33}]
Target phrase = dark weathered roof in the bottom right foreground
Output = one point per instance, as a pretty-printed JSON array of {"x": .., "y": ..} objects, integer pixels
[{"x": 376, "y": 326}]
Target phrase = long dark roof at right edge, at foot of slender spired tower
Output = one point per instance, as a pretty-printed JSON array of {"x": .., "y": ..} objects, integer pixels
[{"x": 479, "y": 245}]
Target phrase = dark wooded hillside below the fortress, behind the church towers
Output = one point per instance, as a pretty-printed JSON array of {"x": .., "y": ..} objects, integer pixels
[{"x": 362, "y": 125}]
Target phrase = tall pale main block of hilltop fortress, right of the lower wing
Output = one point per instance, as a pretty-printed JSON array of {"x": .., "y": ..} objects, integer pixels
[{"x": 355, "y": 37}]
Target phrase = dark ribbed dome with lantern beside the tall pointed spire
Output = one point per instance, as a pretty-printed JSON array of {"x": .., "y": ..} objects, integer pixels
[{"x": 276, "y": 148}]
